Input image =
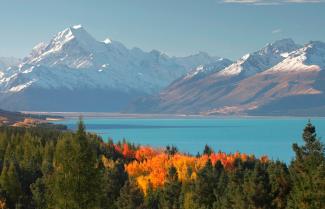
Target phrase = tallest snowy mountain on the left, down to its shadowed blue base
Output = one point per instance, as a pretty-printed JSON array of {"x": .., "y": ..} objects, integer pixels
[{"x": 75, "y": 72}]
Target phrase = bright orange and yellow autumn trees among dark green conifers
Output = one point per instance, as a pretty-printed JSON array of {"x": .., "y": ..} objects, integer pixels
[{"x": 152, "y": 166}]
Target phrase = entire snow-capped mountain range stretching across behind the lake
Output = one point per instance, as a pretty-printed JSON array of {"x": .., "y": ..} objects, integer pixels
[{"x": 75, "y": 72}]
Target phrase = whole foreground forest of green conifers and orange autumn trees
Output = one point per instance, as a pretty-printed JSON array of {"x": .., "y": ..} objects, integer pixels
[{"x": 44, "y": 168}]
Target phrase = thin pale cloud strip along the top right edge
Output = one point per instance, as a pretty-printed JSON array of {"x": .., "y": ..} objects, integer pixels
[{"x": 270, "y": 2}]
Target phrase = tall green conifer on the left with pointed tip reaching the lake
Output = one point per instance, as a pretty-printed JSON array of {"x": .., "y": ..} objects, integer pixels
[{"x": 76, "y": 177}]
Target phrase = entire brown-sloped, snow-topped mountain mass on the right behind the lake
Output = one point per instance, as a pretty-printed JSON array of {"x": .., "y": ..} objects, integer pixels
[{"x": 280, "y": 79}]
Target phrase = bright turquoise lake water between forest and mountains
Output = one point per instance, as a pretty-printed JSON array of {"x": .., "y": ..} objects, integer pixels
[{"x": 270, "y": 136}]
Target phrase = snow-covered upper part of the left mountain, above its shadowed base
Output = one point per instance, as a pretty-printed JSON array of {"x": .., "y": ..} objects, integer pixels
[{"x": 74, "y": 59}]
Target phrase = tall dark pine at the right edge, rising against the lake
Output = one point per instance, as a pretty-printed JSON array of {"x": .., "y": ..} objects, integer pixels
[{"x": 308, "y": 172}]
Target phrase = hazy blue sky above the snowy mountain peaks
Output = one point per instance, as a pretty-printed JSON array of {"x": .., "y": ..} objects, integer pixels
[{"x": 225, "y": 28}]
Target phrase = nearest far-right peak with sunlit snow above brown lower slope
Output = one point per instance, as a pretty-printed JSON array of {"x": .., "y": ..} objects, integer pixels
[{"x": 300, "y": 75}]
